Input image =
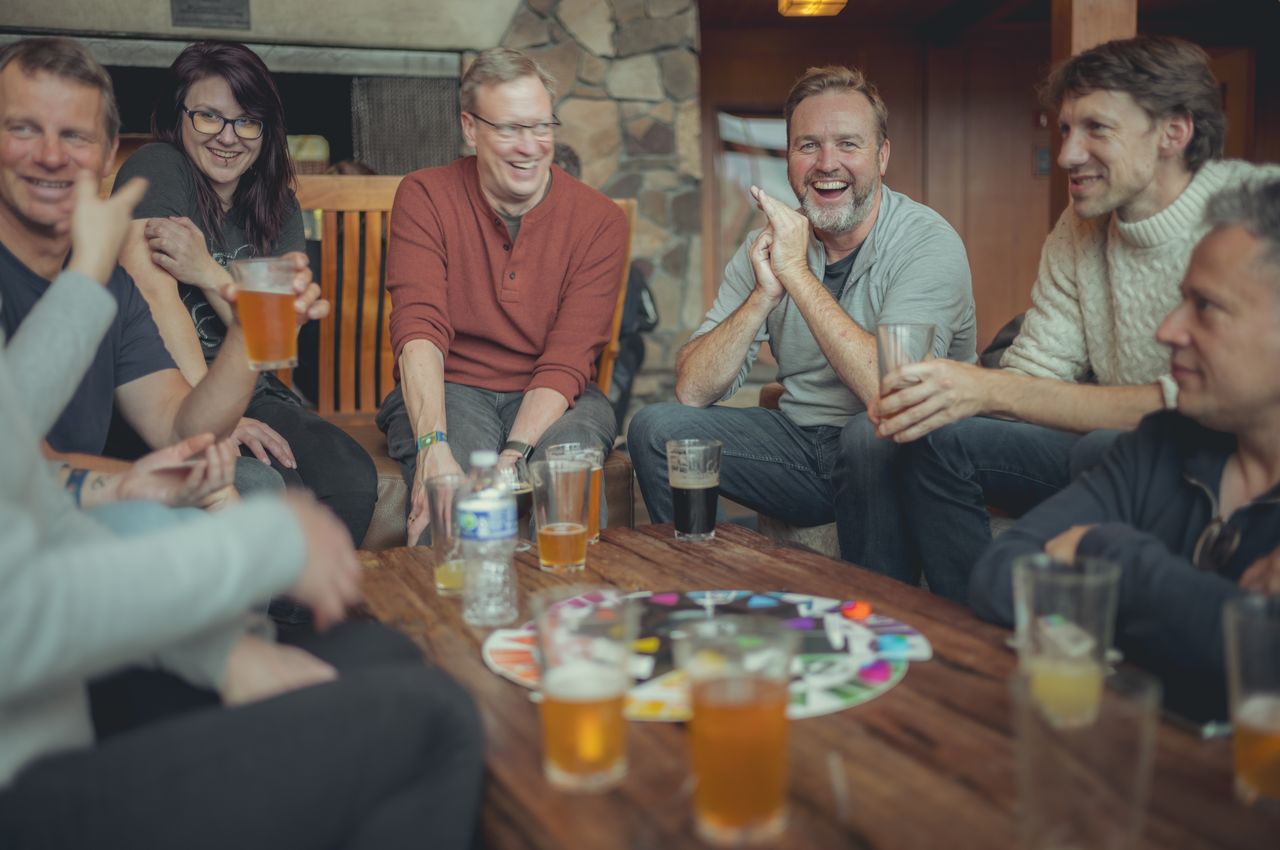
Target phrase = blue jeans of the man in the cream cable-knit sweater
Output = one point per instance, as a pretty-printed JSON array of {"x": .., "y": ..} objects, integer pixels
[{"x": 954, "y": 473}]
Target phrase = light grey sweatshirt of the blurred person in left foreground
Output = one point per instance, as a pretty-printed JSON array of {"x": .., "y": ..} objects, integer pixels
[{"x": 76, "y": 601}]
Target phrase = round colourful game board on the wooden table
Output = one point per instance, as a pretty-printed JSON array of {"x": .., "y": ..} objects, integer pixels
[{"x": 848, "y": 654}]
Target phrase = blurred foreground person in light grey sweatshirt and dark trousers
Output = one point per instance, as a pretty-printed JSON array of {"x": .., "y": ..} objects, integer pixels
[{"x": 295, "y": 753}]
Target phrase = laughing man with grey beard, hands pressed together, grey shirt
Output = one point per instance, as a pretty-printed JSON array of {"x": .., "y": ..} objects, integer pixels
[{"x": 815, "y": 285}]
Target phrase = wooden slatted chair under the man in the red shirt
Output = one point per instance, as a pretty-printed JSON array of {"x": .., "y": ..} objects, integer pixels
[{"x": 356, "y": 363}]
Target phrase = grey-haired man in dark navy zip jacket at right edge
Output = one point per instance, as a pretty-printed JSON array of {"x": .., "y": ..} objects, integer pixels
[{"x": 1190, "y": 504}]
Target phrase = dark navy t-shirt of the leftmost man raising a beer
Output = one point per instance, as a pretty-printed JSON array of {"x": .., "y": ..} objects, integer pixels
[{"x": 131, "y": 350}]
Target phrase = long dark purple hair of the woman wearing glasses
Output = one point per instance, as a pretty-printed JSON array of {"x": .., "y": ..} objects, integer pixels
[{"x": 263, "y": 196}]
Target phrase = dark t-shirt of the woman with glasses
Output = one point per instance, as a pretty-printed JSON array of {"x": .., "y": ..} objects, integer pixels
[{"x": 172, "y": 191}]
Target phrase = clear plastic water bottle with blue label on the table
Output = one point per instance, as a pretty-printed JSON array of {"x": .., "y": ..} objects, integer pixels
[{"x": 486, "y": 522}]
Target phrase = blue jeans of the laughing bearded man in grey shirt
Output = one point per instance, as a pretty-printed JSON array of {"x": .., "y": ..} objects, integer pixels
[{"x": 802, "y": 476}]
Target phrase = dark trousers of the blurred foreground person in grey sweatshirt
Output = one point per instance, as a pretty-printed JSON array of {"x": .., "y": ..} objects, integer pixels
[{"x": 388, "y": 756}]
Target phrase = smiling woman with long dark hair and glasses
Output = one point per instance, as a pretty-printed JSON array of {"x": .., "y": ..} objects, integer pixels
[{"x": 221, "y": 190}]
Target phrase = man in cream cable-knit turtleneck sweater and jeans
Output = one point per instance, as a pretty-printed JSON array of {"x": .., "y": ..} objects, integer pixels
[{"x": 1142, "y": 134}]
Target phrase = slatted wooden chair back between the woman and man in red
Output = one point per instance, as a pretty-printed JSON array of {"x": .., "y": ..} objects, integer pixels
[{"x": 355, "y": 341}]
